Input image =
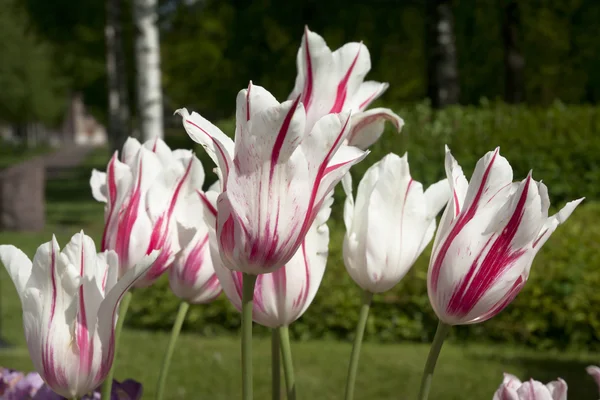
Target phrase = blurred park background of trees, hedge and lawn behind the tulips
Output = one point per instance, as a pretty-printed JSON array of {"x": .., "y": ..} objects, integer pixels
[{"x": 78, "y": 78}]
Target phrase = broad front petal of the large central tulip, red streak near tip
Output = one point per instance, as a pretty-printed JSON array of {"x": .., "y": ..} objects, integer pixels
[{"x": 269, "y": 180}]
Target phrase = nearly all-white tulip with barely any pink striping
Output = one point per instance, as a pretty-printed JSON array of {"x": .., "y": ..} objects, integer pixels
[{"x": 389, "y": 225}]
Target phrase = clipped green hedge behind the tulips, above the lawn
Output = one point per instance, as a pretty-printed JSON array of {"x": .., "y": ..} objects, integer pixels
[{"x": 558, "y": 306}]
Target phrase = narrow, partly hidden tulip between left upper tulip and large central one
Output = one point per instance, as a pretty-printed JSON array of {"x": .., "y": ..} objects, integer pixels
[{"x": 192, "y": 276}]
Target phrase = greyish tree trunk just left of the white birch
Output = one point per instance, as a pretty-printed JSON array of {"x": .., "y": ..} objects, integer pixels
[{"x": 118, "y": 103}]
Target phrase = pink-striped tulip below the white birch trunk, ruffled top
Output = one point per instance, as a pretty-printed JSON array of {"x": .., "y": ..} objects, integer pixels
[{"x": 145, "y": 194}]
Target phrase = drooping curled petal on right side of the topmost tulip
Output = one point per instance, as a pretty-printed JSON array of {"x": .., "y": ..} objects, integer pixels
[{"x": 368, "y": 126}]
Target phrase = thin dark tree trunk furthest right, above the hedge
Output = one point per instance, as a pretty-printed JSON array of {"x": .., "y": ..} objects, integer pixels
[{"x": 514, "y": 62}]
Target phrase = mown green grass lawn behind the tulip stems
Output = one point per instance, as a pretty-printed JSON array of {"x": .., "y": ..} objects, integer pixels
[{"x": 206, "y": 368}]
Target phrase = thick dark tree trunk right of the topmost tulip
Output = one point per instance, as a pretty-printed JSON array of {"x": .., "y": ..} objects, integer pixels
[{"x": 442, "y": 71}]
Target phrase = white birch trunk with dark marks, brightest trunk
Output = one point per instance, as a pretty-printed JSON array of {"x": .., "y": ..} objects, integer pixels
[{"x": 147, "y": 53}]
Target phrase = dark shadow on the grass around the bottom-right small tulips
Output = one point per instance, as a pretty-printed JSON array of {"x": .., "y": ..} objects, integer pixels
[{"x": 546, "y": 368}]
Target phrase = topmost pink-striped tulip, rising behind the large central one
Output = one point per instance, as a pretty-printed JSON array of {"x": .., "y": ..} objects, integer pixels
[{"x": 332, "y": 82}]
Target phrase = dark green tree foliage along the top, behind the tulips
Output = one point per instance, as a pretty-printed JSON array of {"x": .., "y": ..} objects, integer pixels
[{"x": 212, "y": 48}]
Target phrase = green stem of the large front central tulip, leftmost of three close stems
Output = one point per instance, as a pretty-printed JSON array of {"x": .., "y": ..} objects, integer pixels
[{"x": 247, "y": 303}]
